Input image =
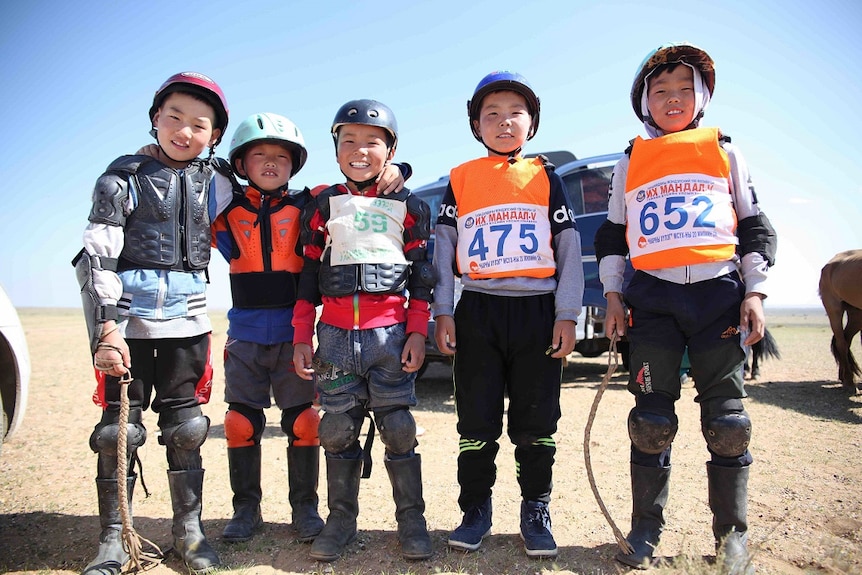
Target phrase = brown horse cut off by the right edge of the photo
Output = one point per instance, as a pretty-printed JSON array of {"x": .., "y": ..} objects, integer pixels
[{"x": 841, "y": 292}]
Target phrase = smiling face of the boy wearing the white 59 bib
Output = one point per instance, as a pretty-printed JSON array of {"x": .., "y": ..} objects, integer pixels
[{"x": 362, "y": 151}]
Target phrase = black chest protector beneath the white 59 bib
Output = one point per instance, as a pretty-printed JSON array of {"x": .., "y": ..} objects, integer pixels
[{"x": 343, "y": 280}]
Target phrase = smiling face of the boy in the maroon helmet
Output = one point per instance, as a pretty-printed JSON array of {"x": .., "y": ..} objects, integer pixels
[{"x": 184, "y": 128}]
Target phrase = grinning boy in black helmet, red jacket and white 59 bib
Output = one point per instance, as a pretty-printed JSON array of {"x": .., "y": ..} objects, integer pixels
[{"x": 361, "y": 251}]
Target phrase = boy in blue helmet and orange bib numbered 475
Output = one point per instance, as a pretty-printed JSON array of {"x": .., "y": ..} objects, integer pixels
[{"x": 507, "y": 229}]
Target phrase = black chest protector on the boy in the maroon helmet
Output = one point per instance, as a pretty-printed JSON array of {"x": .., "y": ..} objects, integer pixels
[{"x": 170, "y": 226}]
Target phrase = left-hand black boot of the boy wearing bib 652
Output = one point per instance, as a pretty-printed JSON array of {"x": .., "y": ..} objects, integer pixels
[{"x": 649, "y": 498}]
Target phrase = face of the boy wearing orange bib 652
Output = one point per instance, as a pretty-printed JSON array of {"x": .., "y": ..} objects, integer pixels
[{"x": 670, "y": 98}]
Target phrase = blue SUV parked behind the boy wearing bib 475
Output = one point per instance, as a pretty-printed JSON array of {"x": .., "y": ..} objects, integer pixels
[{"x": 587, "y": 181}]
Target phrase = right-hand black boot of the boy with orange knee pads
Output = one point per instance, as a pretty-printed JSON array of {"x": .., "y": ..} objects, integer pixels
[{"x": 303, "y": 469}]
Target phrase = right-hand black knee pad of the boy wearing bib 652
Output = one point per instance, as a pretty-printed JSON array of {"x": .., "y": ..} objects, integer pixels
[{"x": 725, "y": 426}]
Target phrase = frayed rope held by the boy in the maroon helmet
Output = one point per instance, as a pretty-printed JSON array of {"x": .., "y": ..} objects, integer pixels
[{"x": 133, "y": 543}]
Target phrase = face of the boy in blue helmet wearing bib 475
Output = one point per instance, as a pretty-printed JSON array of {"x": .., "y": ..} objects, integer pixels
[{"x": 504, "y": 121}]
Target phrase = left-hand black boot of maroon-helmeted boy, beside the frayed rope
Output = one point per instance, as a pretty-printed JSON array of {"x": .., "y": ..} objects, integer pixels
[{"x": 111, "y": 556}]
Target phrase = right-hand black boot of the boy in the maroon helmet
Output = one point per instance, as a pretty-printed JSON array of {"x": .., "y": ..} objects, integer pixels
[{"x": 189, "y": 539}]
